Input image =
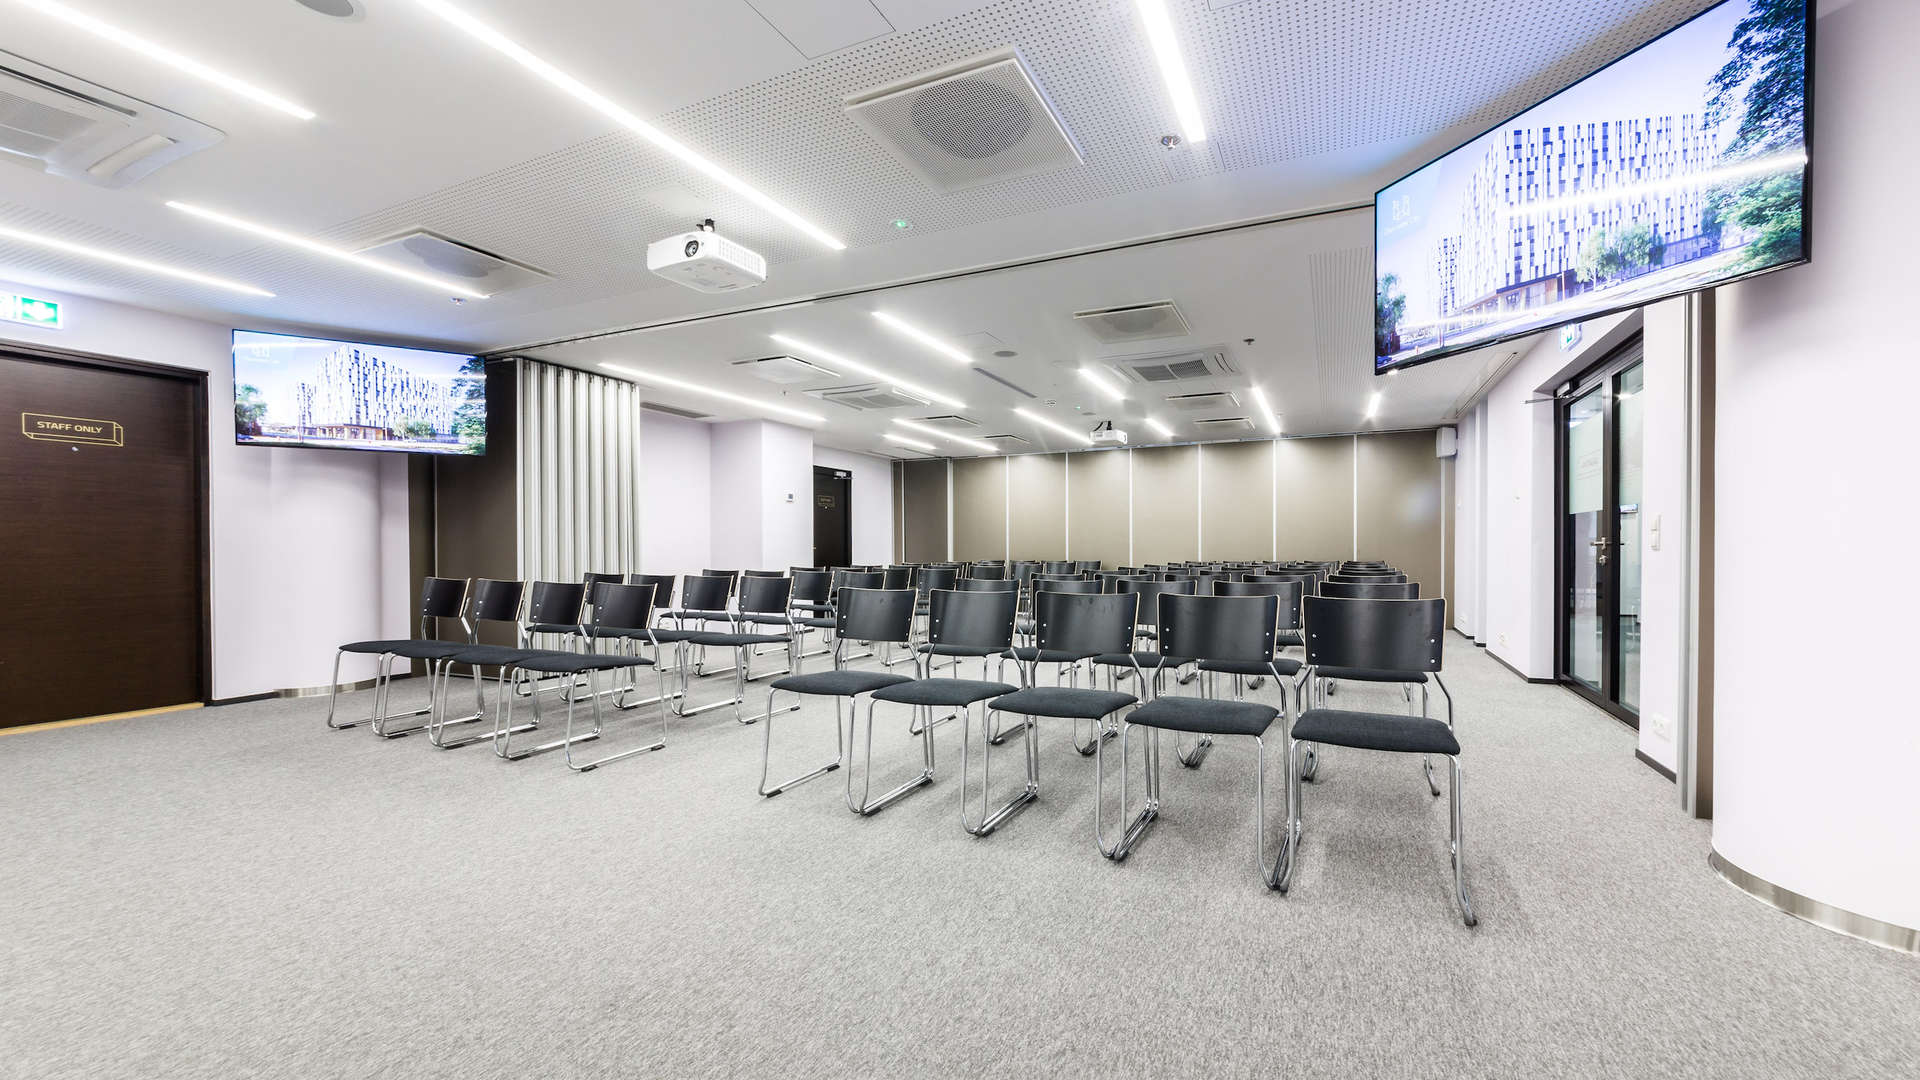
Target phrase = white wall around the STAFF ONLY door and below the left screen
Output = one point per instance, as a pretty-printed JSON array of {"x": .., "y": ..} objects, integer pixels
[{"x": 308, "y": 547}]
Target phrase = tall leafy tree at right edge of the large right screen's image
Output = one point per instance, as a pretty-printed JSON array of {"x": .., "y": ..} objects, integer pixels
[{"x": 1767, "y": 86}]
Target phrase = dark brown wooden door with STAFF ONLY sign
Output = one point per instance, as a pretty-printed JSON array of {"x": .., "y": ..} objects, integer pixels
[{"x": 103, "y": 528}]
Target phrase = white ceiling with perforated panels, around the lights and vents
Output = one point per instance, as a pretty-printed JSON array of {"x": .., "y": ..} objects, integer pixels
[{"x": 1310, "y": 105}]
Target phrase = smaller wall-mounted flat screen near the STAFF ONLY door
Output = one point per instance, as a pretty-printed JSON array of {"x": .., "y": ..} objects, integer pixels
[{"x": 356, "y": 397}]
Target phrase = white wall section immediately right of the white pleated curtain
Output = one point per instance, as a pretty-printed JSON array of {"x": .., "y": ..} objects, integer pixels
[{"x": 675, "y": 501}]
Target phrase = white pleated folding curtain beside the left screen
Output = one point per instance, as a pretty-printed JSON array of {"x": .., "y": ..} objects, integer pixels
[{"x": 579, "y": 474}]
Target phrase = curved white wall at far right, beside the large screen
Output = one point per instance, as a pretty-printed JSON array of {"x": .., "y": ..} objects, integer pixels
[{"x": 1815, "y": 735}]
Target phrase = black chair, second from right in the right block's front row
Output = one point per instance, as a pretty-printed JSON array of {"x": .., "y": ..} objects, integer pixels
[{"x": 1212, "y": 629}]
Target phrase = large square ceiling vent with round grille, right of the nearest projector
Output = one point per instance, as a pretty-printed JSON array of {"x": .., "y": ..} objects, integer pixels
[{"x": 978, "y": 122}]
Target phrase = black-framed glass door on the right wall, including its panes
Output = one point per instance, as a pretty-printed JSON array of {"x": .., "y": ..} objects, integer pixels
[{"x": 1600, "y": 483}]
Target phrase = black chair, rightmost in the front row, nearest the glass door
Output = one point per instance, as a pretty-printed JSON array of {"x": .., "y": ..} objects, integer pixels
[{"x": 1381, "y": 635}]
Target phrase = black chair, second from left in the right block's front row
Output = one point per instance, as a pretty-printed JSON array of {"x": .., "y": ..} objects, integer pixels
[{"x": 967, "y": 622}]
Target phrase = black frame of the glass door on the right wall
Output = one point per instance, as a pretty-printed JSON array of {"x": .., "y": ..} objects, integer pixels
[{"x": 1604, "y": 374}]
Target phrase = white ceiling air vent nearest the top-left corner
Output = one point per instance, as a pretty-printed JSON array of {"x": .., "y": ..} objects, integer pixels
[{"x": 84, "y": 132}]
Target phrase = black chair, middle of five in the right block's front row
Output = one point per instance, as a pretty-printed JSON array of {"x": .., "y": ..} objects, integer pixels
[{"x": 1068, "y": 627}]
